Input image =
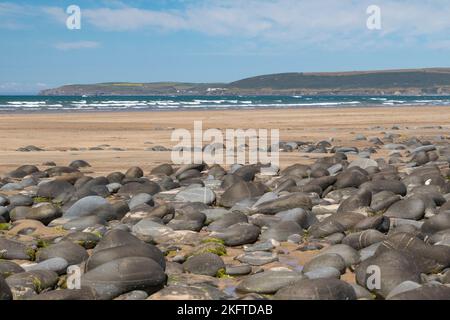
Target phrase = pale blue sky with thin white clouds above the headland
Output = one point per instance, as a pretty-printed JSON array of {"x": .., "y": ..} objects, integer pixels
[{"x": 213, "y": 40}]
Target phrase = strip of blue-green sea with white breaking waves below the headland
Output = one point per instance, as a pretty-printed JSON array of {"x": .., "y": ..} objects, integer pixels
[{"x": 33, "y": 104}]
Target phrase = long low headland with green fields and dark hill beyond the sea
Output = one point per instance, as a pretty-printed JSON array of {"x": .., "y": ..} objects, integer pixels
[{"x": 384, "y": 82}]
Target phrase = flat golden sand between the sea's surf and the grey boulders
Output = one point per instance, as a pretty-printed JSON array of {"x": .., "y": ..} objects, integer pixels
[{"x": 136, "y": 131}]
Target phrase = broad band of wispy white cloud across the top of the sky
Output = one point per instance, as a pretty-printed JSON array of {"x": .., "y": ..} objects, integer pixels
[{"x": 327, "y": 23}]
